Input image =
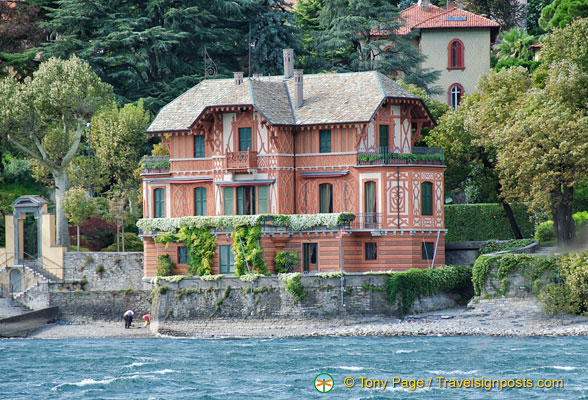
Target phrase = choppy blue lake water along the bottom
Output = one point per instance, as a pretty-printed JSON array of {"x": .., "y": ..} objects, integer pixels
[{"x": 285, "y": 368}]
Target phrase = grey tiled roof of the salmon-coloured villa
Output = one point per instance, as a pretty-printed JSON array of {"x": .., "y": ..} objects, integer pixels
[{"x": 328, "y": 98}]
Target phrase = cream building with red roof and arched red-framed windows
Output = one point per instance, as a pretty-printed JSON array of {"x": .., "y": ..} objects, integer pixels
[{"x": 455, "y": 41}]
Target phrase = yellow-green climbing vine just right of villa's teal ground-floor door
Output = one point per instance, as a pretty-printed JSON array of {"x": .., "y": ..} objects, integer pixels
[{"x": 248, "y": 237}]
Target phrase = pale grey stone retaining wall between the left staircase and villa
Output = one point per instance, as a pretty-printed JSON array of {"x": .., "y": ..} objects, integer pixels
[{"x": 105, "y": 271}]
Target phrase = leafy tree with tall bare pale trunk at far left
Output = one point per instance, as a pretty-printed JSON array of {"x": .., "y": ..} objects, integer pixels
[{"x": 46, "y": 117}]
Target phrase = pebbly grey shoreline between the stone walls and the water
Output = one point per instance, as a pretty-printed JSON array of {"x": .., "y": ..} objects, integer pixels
[{"x": 491, "y": 317}]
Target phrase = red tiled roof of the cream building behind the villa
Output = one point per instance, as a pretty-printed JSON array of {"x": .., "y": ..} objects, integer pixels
[{"x": 416, "y": 17}]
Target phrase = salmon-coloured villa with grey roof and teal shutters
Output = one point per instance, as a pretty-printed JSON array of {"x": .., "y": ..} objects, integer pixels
[{"x": 302, "y": 144}]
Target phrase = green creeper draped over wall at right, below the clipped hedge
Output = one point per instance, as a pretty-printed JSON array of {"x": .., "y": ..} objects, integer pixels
[{"x": 500, "y": 267}]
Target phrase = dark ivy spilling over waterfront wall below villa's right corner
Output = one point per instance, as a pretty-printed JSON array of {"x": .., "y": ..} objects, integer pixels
[{"x": 405, "y": 287}]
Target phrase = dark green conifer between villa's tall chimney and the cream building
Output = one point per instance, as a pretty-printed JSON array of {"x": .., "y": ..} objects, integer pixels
[{"x": 360, "y": 36}]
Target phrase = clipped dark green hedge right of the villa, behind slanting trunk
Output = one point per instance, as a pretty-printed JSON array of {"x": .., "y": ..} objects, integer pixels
[{"x": 471, "y": 222}]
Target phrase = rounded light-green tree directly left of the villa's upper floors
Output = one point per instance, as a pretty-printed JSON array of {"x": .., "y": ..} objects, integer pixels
[{"x": 116, "y": 137}]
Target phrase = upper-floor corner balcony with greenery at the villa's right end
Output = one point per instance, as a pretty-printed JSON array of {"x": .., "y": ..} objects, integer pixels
[{"x": 419, "y": 155}]
